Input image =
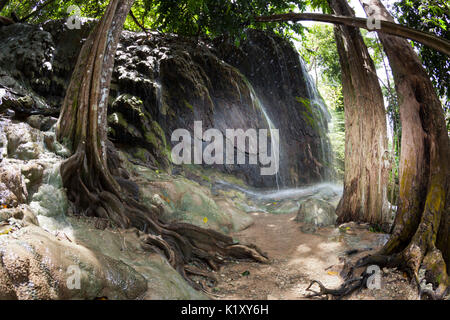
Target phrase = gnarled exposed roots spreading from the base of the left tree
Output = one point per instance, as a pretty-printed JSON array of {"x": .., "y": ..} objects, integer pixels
[{"x": 190, "y": 249}]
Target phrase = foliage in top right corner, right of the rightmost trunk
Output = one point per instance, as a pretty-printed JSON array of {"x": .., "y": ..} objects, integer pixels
[{"x": 431, "y": 16}]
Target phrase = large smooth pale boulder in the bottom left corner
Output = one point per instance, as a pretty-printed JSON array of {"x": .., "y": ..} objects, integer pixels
[{"x": 82, "y": 262}]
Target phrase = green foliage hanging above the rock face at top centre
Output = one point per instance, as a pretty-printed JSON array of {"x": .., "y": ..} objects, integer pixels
[{"x": 216, "y": 17}]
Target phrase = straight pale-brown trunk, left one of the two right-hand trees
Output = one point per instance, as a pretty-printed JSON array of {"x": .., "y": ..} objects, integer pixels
[{"x": 365, "y": 177}]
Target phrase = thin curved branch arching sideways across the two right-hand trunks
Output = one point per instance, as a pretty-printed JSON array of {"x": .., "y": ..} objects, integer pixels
[{"x": 387, "y": 27}]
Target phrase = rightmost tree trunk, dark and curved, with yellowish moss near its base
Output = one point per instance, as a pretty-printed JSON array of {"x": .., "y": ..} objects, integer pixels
[{"x": 421, "y": 231}]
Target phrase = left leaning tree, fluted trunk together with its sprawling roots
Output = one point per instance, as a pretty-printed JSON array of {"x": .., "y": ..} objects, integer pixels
[{"x": 91, "y": 173}]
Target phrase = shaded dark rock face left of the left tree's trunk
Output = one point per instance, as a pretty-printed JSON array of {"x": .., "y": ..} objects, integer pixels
[{"x": 35, "y": 66}]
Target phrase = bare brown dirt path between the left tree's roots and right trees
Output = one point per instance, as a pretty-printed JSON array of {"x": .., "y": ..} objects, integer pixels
[{"x": 298, "y": 257}]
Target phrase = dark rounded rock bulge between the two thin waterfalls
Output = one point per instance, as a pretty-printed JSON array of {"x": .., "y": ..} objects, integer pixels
[{"x": 277, "y": 73}]
